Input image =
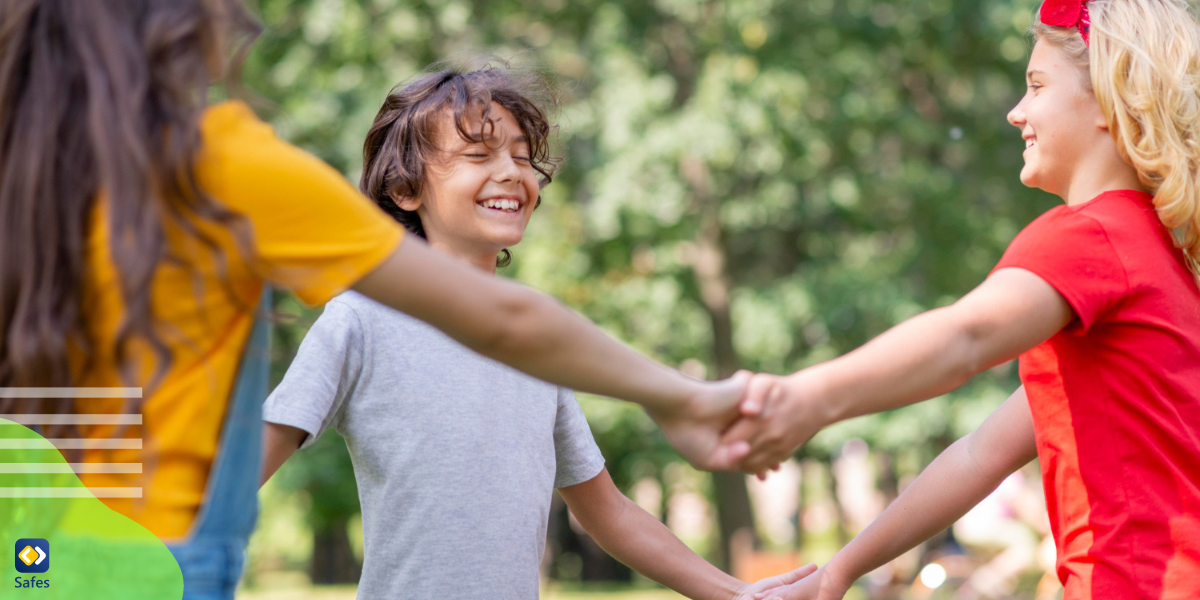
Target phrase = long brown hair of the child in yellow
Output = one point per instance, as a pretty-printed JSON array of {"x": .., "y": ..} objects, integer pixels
[{"x": 100, "y": 99}]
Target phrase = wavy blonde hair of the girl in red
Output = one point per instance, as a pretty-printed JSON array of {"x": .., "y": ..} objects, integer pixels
[{"x": 1144, "y": 68}]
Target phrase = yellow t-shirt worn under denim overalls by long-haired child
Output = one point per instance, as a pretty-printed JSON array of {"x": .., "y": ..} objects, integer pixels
[{"x": 313, "y": 233}]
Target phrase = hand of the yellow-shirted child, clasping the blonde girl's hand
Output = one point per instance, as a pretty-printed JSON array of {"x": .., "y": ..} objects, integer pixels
[{"x": 695, "y": 428}]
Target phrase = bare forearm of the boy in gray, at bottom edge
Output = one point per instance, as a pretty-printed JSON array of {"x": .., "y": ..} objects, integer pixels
[{"x": 644, "y": 544}]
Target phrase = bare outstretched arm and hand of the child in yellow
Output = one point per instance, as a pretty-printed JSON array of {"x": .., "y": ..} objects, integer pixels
[{"x": 538, "y": 335}]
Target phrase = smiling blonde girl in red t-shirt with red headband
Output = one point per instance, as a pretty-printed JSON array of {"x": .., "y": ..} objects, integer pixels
[{"x": 1099, "y": 298}]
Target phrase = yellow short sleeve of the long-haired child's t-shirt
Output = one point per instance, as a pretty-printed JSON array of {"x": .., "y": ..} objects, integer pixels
[{"x": 314, "y": 232}]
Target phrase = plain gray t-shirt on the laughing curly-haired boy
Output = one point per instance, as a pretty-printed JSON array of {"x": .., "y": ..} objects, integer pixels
[{"x": 457, "y": 457}]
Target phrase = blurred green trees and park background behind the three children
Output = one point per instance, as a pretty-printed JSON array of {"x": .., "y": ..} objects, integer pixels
[{"x": 748, "y": 184}]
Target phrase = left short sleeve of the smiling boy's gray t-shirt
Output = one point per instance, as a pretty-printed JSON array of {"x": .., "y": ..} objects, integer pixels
[{"x": 323, "y": 375}]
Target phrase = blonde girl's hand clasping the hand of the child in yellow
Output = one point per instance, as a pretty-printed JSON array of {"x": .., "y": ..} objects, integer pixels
[{"x": 779, "y": 416}]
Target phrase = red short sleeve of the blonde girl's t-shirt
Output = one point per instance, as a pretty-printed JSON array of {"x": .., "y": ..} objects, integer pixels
[{"x": 1072, "y": 253}]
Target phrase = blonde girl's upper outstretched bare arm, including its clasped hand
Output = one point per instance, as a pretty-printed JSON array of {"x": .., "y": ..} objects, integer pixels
[{"x": 927, "y": 356}]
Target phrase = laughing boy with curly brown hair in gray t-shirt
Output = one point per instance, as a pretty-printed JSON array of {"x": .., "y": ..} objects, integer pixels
[{"x": 458, "y": 457}]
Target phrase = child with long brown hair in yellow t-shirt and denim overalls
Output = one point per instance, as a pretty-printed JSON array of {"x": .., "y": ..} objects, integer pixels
[{"x": 139, "y": 229}]
